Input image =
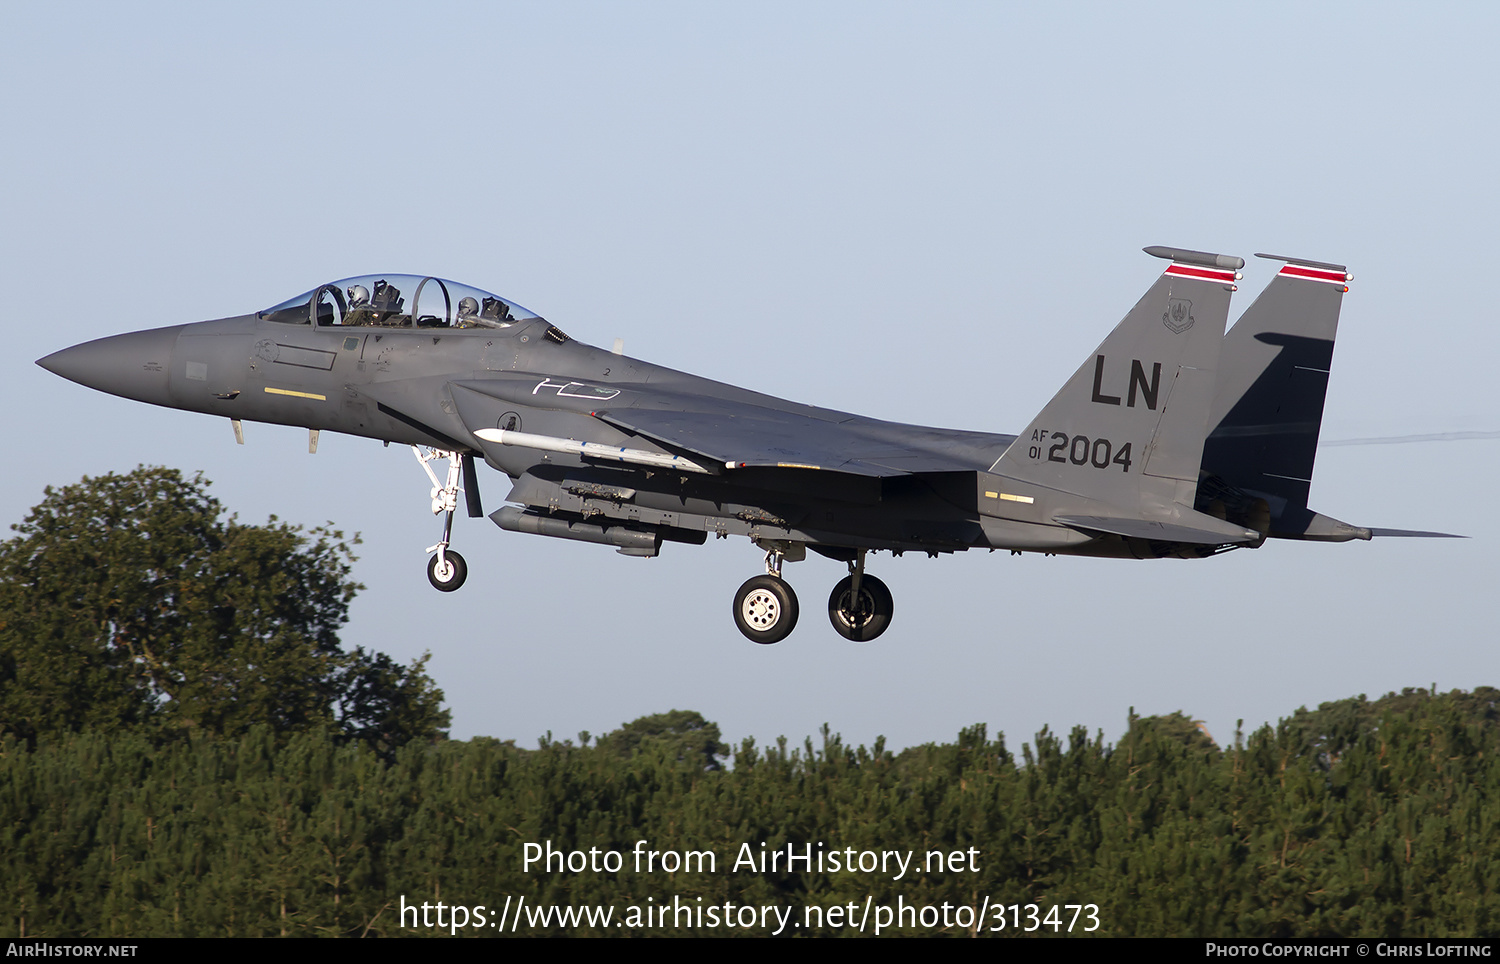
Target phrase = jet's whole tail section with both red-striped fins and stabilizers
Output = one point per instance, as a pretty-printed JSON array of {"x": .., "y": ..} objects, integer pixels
[{"x": 1175, "y": 433}]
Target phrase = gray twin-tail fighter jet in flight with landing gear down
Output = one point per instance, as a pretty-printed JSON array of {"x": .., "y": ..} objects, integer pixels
[{"x": 1171, "y": 440}]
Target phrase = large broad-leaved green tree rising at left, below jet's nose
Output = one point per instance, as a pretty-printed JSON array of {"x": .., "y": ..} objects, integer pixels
[{"x": 131, "y": 602}]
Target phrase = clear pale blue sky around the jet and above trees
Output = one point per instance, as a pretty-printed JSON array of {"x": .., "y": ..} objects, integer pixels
[{"x": 917, "y": 212}]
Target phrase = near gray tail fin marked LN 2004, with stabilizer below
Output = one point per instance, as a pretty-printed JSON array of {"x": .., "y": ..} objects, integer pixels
[{"x": 1120, "y": 448}]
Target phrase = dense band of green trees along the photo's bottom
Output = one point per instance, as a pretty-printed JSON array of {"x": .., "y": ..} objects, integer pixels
[{"x": 119, "y": 836}]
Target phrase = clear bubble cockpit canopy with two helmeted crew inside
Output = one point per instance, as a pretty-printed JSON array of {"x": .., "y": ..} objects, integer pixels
[{"x": 398, "y": 302}]
